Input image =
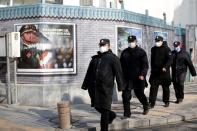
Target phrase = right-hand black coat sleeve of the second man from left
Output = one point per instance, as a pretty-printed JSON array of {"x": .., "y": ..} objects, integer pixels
[{"x": 145, "y": 66}]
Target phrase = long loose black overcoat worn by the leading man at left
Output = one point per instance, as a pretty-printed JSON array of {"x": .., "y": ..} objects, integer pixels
[{"x": 99, "y": 79}]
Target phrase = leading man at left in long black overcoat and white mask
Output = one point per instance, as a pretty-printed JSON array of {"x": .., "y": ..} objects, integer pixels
[{"x": 99, "y": 81}]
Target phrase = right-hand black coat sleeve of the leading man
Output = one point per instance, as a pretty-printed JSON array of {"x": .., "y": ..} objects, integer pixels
[{"x": 118, "y": 73}]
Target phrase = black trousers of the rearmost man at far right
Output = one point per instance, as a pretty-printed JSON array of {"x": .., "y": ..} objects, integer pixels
[{"x": 179, "y": 90}]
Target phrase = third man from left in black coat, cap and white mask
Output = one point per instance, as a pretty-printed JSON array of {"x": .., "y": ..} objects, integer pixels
[{"x": 161, "y": 60}]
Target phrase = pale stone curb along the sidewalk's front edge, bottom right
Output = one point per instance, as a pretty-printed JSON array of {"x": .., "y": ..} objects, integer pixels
[{"x": 120, "y": 124}]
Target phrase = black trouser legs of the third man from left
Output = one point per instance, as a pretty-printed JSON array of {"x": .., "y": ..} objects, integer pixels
[{"x": 154, "y": 90}]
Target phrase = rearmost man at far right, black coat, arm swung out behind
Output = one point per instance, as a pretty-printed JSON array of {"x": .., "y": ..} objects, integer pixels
[{"x": 181, "y": 61}]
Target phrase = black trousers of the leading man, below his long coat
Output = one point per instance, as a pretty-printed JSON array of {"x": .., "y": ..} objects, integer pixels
[{"x": 106, "y": 115}]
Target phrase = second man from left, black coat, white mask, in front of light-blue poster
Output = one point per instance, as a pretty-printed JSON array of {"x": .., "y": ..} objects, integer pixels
[{"x": 134, "y": 63}]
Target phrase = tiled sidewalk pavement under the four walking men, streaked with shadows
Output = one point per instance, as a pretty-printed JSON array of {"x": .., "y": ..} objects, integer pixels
[{"x": 86, "y": 118}]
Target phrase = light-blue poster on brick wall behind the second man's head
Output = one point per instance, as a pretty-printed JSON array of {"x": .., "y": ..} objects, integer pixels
[{"x": 122, "y": 35}]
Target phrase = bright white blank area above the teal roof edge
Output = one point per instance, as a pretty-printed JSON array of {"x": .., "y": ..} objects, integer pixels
[{"x": 155, "y": 7}]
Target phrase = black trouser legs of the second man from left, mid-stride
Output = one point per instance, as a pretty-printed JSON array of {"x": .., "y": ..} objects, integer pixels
[{"x": 126, "y": 96}]
